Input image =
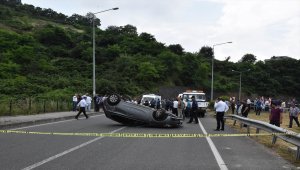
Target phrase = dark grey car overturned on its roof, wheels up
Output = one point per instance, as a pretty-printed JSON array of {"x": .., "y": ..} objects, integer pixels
[{"x": 129, "y": 113}]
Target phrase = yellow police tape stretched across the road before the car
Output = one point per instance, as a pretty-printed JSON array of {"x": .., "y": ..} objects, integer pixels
[{"x": 140, "y": 135}]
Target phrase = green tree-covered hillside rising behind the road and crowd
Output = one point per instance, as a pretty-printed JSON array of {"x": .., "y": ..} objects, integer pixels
[{"x": 46, "y": 54}]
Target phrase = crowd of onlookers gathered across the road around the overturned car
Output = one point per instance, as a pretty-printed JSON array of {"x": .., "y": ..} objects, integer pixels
[{"x": 189, "y": 108}]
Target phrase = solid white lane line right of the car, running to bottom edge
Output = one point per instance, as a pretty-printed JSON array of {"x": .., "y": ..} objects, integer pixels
[{"x": 213, "y": 148}]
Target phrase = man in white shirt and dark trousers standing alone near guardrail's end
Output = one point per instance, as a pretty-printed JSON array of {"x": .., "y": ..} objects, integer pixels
[{"x": 221, "y": 107}]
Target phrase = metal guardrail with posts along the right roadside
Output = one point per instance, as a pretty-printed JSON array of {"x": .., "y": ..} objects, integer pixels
[{"x": 284, "y": 134}]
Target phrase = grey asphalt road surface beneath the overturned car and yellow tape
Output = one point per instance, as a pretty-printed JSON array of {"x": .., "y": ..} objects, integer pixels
[{"x": 28, "y": 151}]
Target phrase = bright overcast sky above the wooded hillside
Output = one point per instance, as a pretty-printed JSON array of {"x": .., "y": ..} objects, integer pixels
[{"x": 264, "y": 28}]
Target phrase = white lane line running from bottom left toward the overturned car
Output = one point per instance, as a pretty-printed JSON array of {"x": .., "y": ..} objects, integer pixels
[{"x": 66, "y": 152}]
